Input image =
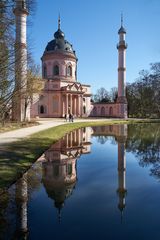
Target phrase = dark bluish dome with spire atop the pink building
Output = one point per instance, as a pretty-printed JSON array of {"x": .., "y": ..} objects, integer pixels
[{"x": 59, "y": 43}]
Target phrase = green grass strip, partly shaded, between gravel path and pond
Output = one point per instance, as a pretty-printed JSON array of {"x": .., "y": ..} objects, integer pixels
[{"x": 17, "y": 157}]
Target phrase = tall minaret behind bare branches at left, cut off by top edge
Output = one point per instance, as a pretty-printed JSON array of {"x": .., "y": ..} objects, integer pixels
[{"x": 19, "y": 99}]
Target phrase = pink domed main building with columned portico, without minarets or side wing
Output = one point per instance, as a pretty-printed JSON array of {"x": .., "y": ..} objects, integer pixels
[{"x": 62, "y": 93}]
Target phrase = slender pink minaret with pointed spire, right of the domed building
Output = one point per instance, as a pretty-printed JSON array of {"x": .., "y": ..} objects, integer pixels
[{"x": 122, "y": 46}]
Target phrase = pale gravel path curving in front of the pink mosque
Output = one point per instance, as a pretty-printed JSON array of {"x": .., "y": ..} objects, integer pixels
[{"x": 19, "y": 134}]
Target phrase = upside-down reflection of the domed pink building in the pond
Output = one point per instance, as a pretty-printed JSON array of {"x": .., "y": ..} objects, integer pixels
[{"x": 59, "y": 167}]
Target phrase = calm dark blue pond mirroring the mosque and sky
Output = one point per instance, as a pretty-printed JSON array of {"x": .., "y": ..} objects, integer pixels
[{"x": 95, "y": 183}]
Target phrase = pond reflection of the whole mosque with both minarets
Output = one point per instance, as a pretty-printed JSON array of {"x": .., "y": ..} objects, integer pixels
[{"x": 56, "y": 169}]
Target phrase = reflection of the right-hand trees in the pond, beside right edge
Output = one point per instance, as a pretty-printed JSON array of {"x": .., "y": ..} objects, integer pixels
[{"x": 144, "y": 141}]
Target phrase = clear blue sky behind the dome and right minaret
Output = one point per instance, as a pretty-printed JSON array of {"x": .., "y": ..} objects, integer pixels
[{"x": 92, "y": 26}]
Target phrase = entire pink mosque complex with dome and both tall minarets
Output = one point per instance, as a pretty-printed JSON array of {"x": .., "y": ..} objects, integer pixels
[{"x": 63, "y": 93}]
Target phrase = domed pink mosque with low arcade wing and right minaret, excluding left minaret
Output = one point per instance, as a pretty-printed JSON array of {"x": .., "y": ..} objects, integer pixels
[{"x": 63, "y": 94}]
